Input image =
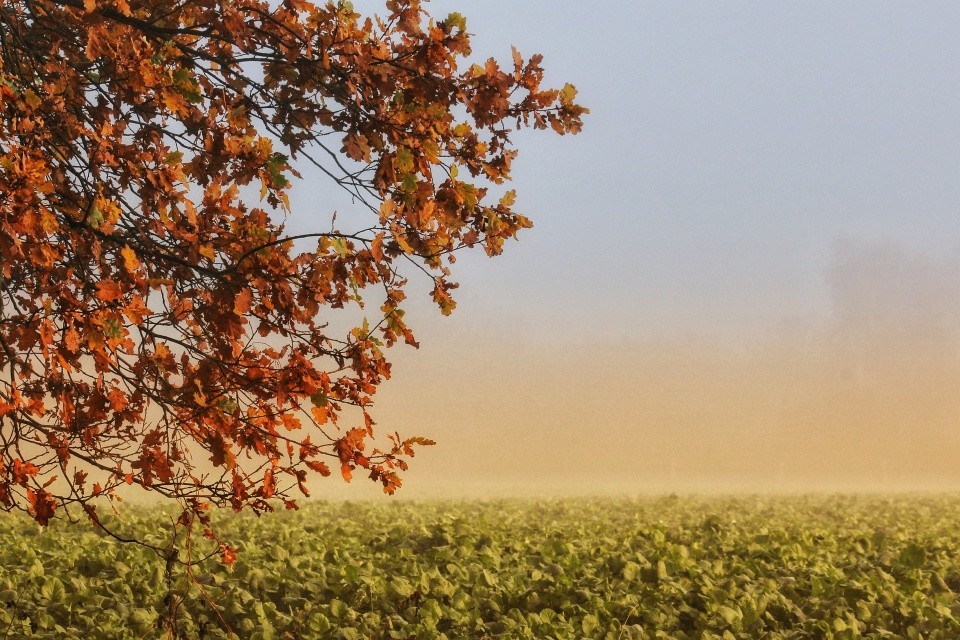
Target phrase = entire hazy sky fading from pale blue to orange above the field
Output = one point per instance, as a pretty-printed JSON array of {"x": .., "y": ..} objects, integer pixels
[{"x": 745, "y": 271}]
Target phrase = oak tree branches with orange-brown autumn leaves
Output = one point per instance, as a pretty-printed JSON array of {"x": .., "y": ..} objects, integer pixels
[{"x": 159, "y": 327}]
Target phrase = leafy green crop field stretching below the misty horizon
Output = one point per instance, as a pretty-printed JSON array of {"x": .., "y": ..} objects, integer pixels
[{"x": 717, "y": 568}]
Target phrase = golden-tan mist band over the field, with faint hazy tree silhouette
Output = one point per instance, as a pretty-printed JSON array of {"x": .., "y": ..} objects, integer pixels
[{"x": 864, "y": 399}]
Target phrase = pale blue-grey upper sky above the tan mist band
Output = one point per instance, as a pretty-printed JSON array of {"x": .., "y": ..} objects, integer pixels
[{"x": 730, "y": 147}]
